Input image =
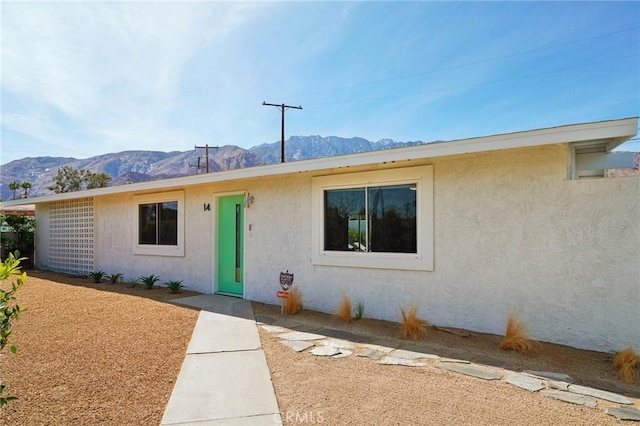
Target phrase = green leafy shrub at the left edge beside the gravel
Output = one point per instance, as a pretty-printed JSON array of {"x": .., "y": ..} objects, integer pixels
[{"x": 9, "y": 312}]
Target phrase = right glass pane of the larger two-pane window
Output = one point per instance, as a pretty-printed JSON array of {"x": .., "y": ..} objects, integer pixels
[{"x": 392, "y": 212}]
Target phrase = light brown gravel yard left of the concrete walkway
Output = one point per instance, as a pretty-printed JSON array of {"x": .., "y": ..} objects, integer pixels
[{"x": 92, "y": 354}]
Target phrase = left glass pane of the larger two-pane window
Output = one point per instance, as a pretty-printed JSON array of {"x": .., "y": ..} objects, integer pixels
[{"x": 345, "y": 220}]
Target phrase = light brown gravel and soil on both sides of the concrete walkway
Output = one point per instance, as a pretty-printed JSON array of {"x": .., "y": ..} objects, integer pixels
[{"x": 107, "y": 354}]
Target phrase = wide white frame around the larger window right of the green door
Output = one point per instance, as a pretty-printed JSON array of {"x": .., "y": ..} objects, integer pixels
[{"x": 422, "y": 176}]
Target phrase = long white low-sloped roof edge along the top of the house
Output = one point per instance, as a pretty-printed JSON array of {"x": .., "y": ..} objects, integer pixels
[{"x": 612, "y": 132}]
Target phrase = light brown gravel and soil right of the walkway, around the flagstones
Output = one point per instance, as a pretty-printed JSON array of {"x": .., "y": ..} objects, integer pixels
[{"x": 358, "y": 391}]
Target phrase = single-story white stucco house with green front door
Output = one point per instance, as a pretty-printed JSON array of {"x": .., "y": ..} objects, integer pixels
[{"x": 470, "y": 230}]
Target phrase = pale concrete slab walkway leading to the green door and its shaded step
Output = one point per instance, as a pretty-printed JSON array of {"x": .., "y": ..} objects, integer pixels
[{"x": 224, "y": 379}]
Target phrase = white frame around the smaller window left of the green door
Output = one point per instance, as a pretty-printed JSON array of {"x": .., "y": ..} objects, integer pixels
[{"x": 159, "y": 250}]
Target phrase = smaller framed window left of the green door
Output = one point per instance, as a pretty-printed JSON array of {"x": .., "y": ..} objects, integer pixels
[{"x": 160, "y": 224}]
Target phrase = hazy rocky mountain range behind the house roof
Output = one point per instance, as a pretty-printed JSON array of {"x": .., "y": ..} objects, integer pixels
[{"x": 141, "y": 166}]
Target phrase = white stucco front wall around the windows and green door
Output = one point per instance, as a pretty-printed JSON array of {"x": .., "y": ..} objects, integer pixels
[{"x": 511, "y": 233}]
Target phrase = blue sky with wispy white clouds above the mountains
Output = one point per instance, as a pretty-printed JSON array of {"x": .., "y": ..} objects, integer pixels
[{"x": 88, "y": 78}]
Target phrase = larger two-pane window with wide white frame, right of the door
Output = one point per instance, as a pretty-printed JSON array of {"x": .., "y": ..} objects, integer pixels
[{"x": 381, "y": 219}]
